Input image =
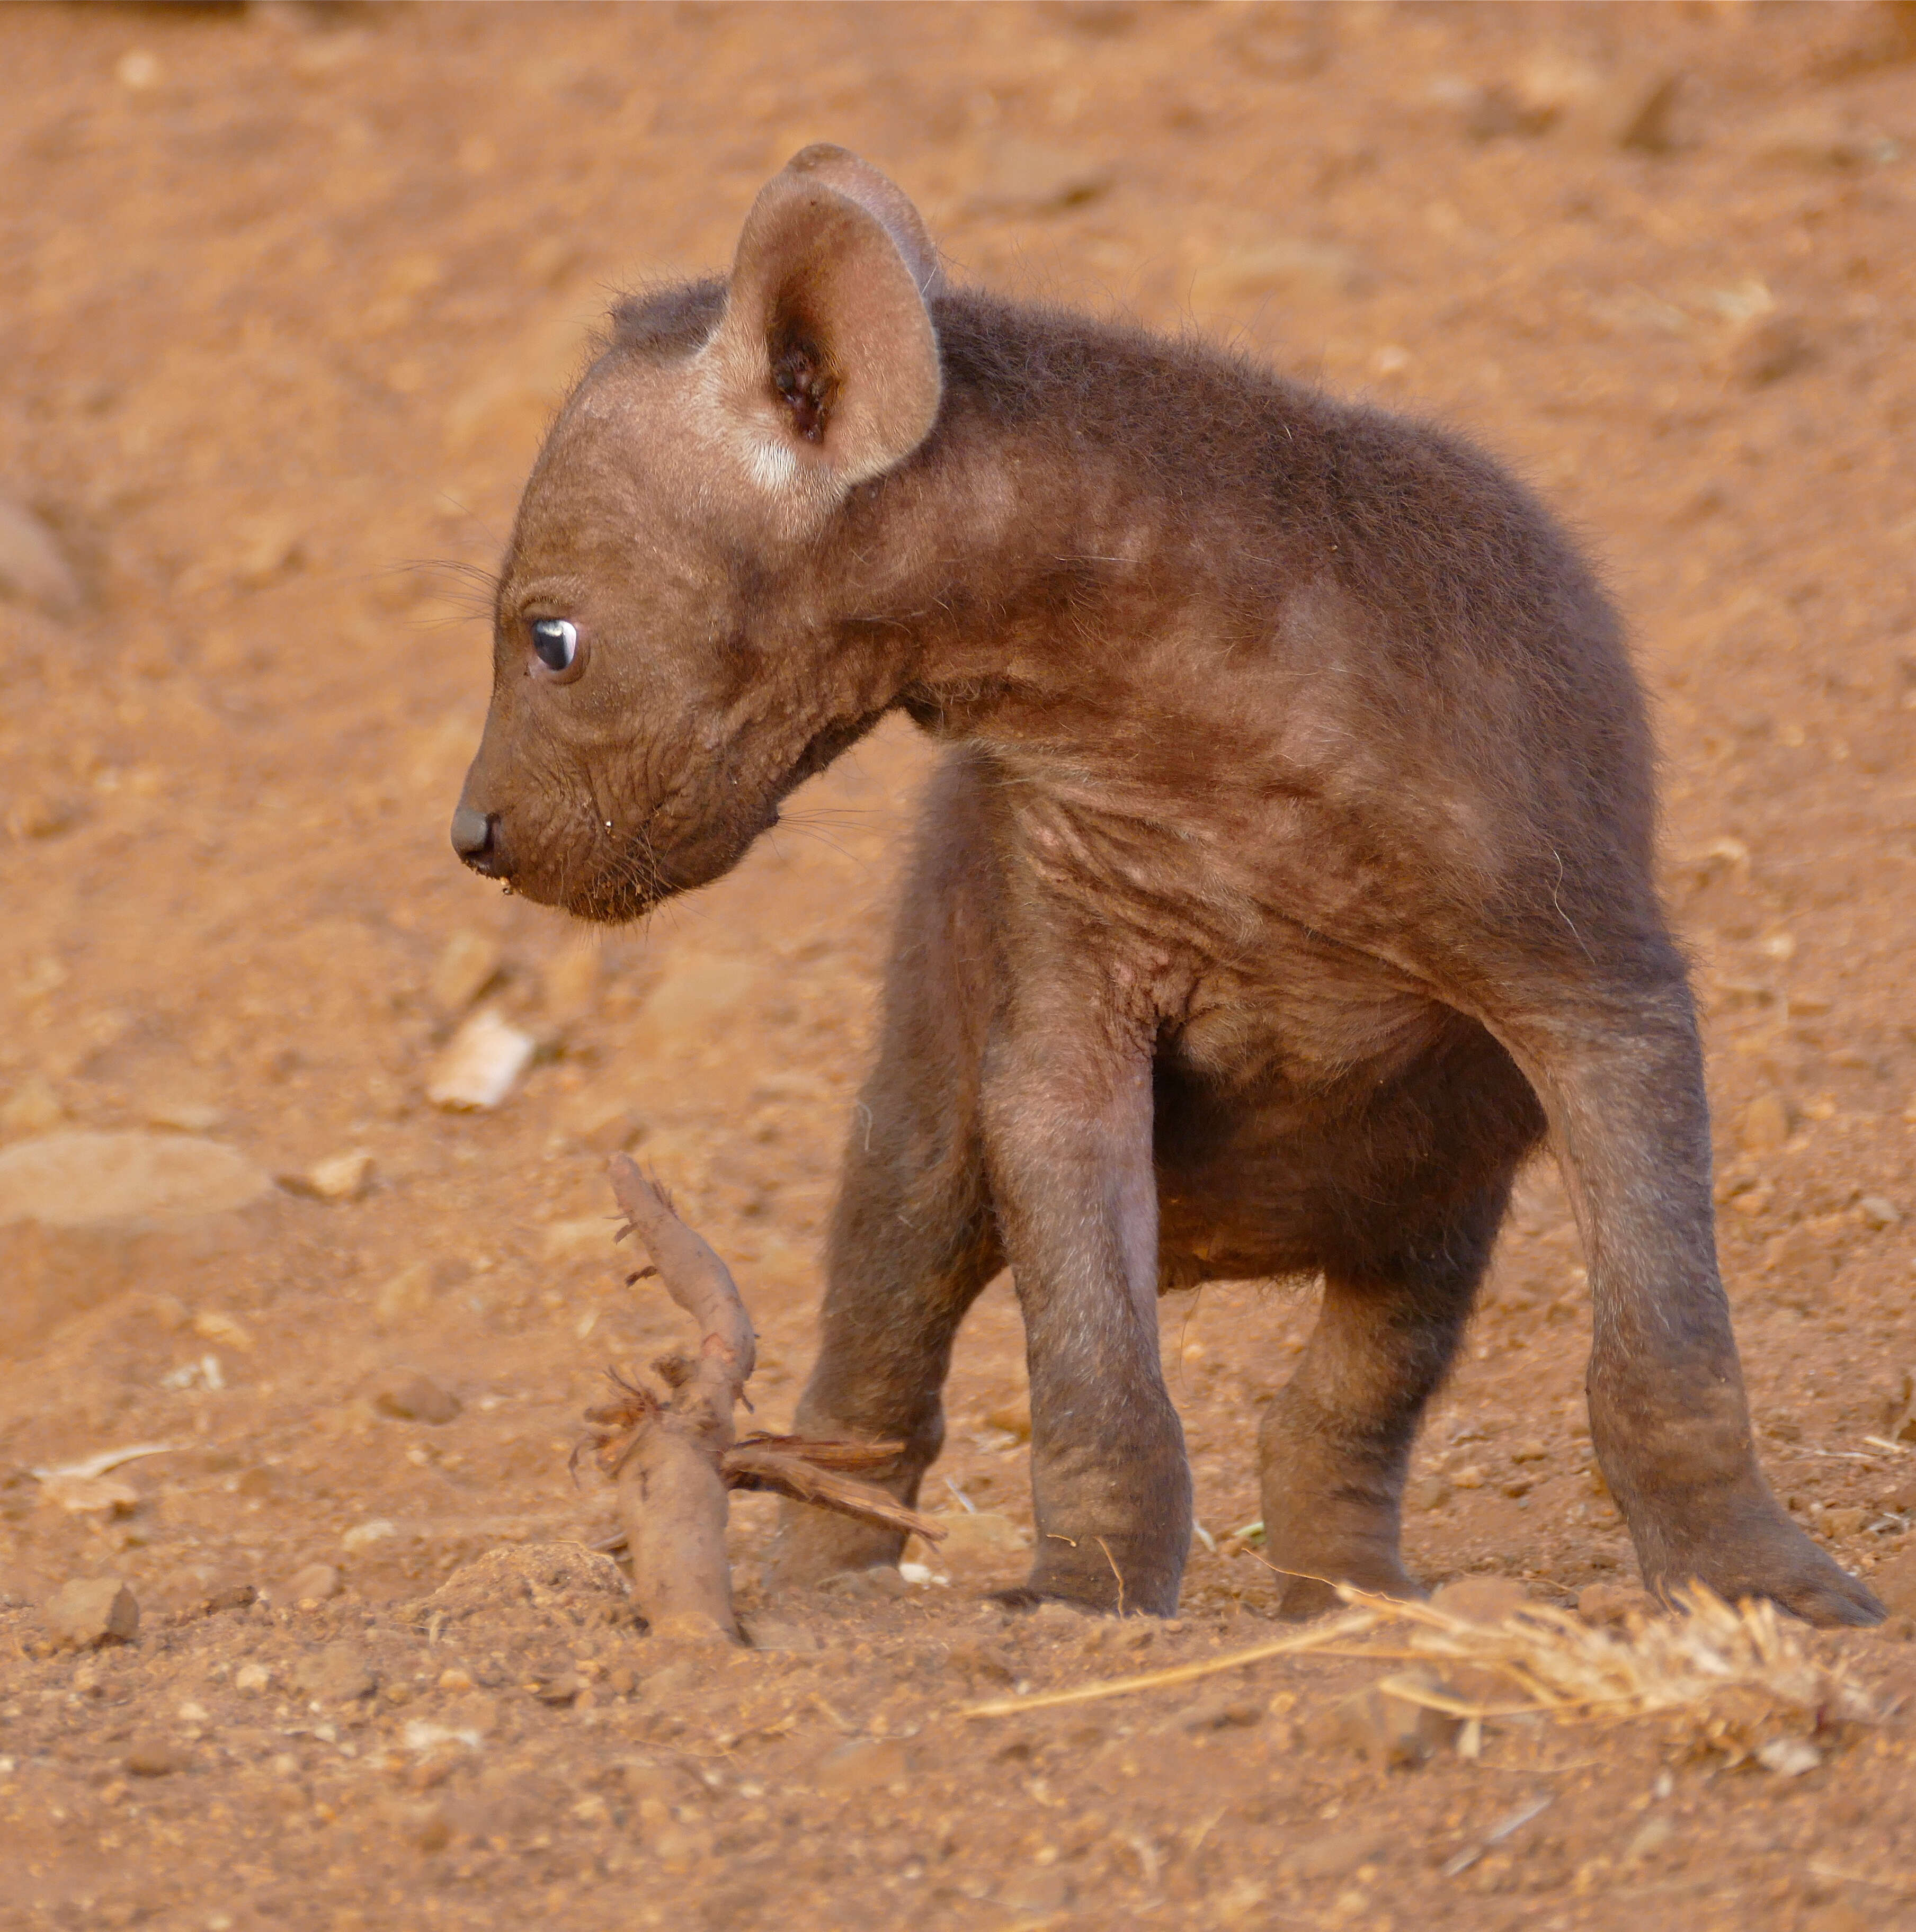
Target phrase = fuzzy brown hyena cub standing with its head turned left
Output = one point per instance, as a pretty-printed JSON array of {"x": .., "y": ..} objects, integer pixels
[{"x": 1287, "y": 886}]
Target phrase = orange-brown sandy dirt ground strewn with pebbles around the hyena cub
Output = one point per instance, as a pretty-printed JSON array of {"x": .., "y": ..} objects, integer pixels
[{"x": 289, "y": 298}]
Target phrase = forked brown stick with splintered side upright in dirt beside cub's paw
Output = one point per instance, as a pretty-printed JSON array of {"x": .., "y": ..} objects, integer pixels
[{"x": 677, "y": 1456}]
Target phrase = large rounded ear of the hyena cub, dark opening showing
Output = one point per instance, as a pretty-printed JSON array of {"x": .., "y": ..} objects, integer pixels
[{"x": 828, "y": 362}]
